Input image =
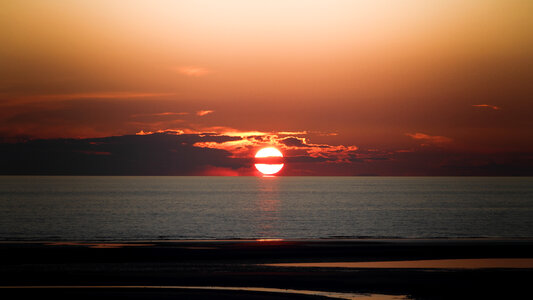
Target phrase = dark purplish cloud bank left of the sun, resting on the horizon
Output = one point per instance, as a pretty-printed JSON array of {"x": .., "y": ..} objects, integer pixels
[{"x": 155, "y": 154}]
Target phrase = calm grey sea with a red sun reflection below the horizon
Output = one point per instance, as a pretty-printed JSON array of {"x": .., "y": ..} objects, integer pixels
[{"x": 148, "y": 208}]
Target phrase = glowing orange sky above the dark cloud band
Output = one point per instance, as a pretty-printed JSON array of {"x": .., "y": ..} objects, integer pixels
[{"x": 454, "y": 76}]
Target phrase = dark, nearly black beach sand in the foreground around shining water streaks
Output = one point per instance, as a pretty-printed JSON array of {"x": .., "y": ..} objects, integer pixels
[{"x": 240, "y": 264}]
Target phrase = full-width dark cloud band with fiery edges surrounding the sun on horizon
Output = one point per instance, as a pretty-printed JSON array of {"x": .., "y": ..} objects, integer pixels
[{"x": 178, "y": 153}]
